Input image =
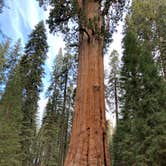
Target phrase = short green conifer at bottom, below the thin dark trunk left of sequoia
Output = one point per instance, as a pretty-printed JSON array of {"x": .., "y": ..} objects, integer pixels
[{"x": 48, "y": 139}]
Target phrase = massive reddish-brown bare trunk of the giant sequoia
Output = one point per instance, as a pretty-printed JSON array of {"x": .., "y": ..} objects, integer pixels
[{"x": 88, "y": 144}]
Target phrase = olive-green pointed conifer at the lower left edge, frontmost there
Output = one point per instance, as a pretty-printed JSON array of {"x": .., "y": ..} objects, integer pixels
[{"x": 10, "y": 122}]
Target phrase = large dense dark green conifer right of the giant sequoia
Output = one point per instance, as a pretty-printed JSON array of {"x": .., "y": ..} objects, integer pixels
[{"x": 140, "y": 133}]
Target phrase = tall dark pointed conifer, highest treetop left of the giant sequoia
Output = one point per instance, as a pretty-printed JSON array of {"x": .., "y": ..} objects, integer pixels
[{"x": 31, "y": 73}]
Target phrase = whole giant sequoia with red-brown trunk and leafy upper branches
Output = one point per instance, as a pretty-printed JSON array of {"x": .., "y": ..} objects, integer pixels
[{"x": 93, "y": 22}]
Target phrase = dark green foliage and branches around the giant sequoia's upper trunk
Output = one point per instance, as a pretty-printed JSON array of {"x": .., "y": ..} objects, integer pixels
[{"x": 69, "y": 17}]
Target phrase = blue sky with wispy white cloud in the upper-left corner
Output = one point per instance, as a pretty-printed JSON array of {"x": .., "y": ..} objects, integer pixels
[{"x": 17, "y": 20}]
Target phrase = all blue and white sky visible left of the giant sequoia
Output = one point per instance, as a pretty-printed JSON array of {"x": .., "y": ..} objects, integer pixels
[{"x": 17, "y": 21}]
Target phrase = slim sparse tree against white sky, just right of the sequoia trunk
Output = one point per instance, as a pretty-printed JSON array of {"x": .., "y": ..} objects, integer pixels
[{"x": 112, "y": 91}]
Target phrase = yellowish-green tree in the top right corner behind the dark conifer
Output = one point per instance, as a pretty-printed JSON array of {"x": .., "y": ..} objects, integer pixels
[{"x": 149, "y": 23}]
